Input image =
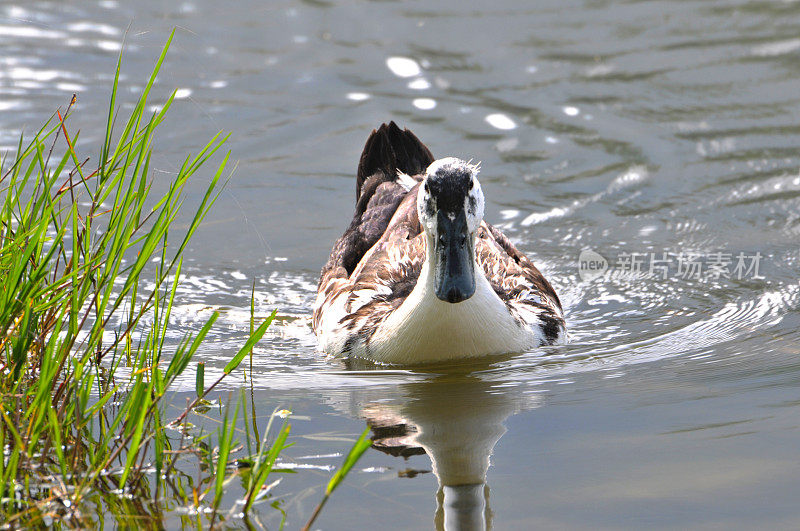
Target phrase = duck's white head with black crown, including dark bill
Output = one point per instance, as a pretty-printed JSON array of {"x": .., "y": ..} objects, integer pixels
[{"x": 450, "y": 207}]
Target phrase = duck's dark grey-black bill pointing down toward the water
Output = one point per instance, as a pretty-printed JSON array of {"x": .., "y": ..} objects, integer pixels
[{"x": 454, "y": 280}]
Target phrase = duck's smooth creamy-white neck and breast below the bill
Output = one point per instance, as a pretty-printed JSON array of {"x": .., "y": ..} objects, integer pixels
[{"x": 426, "y": 329}]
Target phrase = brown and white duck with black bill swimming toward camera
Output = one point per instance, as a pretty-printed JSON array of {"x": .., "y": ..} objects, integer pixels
[{"x": 419, "y": 276}]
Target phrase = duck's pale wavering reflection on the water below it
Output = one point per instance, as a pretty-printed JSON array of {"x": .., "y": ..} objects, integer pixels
[{"x": 456, "y": 420}]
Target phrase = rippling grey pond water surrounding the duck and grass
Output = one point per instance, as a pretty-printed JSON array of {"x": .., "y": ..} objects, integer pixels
[{"x": 631, "y": 129}]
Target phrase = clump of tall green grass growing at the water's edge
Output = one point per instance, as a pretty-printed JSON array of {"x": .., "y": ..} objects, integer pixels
[{"x": 88, "y": 276}]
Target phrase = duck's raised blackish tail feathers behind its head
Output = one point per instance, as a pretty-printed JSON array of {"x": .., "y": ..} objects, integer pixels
[{"x": 390, "y": 150}]
